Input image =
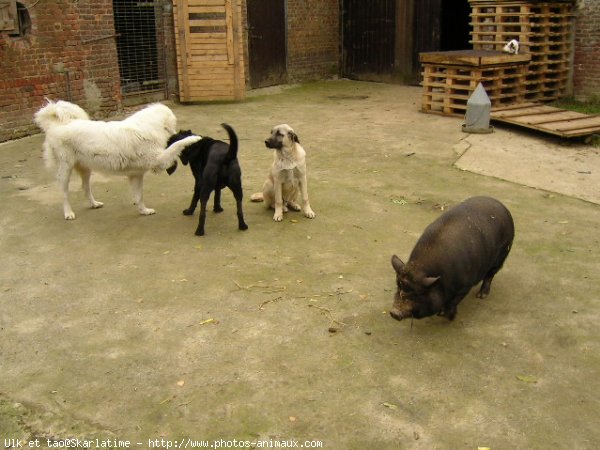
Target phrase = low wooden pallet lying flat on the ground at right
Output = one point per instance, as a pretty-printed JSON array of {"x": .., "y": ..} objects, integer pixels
[{"x": 548, "y": 119}]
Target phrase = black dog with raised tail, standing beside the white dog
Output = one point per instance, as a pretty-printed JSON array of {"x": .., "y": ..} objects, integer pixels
[{"x": 215, "y": 166}]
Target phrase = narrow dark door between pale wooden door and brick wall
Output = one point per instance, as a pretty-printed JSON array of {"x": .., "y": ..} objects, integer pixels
[{"x": 266, "y": 42}]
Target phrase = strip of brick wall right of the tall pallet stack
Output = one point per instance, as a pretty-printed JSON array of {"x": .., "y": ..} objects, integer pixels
[{"x": 586, "y": 64}]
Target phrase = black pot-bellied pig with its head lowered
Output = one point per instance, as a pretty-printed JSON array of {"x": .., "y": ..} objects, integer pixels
[{"x": 465, "y": 245}]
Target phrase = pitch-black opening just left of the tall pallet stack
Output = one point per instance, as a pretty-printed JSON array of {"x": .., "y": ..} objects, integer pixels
[{"x": 455, "y": 26}]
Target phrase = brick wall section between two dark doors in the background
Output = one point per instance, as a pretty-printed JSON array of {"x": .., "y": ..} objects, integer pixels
[{"x": 313, "y": 37}]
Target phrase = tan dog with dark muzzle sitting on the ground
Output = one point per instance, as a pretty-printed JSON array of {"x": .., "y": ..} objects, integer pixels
[{"x": 287, "y": 177}]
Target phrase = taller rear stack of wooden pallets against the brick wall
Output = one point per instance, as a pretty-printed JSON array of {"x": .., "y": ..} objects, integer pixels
[{"x": 543, "y": 30}]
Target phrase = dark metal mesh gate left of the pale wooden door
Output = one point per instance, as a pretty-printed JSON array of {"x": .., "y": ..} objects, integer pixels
[{"x": 141, "y": 58}]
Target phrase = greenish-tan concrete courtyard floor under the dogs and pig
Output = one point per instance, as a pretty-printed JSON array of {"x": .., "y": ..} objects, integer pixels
[{"x": 121, "y": 327}]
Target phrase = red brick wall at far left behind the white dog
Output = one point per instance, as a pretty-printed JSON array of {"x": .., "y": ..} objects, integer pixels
[{"x": 69, "y": 53}]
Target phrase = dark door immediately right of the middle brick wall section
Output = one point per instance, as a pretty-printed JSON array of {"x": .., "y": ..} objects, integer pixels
[{"x": 368, "y": 39}]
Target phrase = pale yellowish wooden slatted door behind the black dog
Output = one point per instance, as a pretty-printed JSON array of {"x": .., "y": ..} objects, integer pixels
[{"x": 210, "y": 63}]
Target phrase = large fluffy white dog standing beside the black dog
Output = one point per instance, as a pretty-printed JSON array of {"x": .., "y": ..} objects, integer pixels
[{"x": 130, "y": 147}]
